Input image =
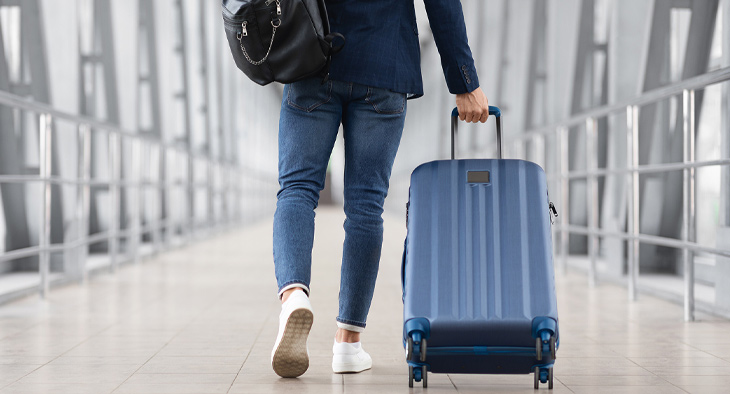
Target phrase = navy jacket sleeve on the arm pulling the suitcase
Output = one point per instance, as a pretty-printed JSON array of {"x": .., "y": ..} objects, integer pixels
[{"x": 449, "y": 31}]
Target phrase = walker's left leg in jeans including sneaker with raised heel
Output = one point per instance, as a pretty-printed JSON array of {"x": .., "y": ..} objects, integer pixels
[{"x": 310, "y": 118}]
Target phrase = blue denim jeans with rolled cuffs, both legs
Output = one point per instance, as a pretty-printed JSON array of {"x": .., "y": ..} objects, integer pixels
[{"x": 372, "y": 119}]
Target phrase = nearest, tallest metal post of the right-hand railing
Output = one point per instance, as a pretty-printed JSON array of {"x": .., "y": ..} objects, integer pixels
[{"x": 688, "y": 202}]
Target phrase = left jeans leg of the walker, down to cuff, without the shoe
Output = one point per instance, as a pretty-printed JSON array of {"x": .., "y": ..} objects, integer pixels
[{"x": 310, "y": 119}]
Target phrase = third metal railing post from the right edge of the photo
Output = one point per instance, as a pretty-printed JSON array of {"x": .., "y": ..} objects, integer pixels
[{"x": 592, "y": 197}]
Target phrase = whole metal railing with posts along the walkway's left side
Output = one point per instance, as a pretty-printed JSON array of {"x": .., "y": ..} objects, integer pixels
[{"x": 224, "y": 182}]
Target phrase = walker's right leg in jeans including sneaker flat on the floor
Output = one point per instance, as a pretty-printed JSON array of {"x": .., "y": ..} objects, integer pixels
[{"x": 373, "y": 124}]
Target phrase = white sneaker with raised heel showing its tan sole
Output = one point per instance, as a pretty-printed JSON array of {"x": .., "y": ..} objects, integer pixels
[{"x": 290, "y": 357}]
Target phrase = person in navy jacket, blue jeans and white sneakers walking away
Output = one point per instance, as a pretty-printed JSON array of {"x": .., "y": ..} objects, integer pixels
[{"x": 370, "y": 82}]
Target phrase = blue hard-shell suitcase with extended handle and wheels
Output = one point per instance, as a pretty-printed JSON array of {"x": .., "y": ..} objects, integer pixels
[{"x": 478, "y": 279}]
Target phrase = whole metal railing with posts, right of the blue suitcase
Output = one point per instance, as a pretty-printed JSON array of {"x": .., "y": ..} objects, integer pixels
[{"x": 630, "y": 174}]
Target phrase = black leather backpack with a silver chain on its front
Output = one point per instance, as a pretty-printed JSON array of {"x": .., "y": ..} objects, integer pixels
[{"x": 280, "y": 40}]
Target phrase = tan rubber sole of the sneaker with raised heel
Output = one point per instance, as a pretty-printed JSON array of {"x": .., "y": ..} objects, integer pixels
[{"x": 291, "y": 358}]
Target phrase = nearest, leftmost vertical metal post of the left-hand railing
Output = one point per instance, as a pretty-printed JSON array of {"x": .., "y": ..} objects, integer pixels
[{"x": 45, "y": 170}]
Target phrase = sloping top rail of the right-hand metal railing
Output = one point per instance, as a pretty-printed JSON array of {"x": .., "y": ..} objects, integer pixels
[{"x": 649, "y": 97}]
